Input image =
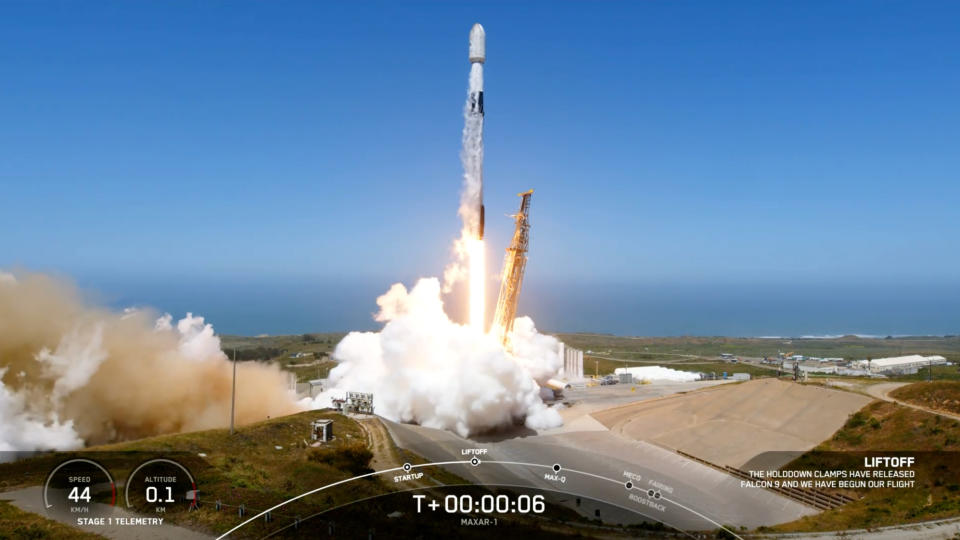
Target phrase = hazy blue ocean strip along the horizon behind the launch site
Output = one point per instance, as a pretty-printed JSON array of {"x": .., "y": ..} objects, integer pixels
[{"x": 294, "y": 306}]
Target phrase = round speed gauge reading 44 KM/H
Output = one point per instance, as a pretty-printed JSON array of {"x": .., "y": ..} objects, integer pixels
[{"x": 80, "y": 488}]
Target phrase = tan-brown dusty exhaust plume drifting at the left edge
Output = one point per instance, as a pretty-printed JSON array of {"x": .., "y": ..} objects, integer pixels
[{"x": 71, "y": 374}]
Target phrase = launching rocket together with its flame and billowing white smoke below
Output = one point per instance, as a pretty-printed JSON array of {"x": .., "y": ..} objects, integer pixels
[{"x": 425, "y": 368}]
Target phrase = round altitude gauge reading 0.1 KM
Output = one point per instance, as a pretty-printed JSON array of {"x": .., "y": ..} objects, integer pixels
[{"x": 161, "y": 487}]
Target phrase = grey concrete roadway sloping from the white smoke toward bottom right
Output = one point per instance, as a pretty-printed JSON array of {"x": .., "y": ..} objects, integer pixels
[{"x": 710, "y": 496}]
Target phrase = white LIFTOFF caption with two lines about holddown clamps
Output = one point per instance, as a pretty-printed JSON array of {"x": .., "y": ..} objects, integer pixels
[{"x": 877, "y": 472}]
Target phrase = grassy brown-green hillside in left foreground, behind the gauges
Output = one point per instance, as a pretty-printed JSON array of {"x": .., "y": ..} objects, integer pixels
[{"x": 258, "y": 467}]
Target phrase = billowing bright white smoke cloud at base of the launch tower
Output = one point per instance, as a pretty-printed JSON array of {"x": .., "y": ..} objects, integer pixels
[{"x": 424, "y": 368}]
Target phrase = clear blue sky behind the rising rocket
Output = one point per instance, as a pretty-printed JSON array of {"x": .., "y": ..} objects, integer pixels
[{"x": 685, "y": 144}]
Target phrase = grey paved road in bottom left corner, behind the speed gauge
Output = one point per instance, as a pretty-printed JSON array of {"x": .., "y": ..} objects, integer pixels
[{"x": 31, "y": 500}]
